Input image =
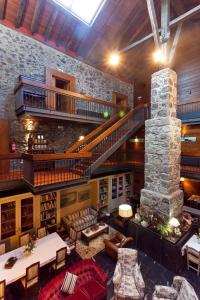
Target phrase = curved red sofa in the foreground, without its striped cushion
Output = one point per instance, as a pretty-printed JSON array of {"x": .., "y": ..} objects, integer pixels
[{"x": 90, "y": 285}]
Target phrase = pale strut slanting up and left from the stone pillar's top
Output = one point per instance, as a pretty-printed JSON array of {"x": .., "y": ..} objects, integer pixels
[{"x": 154, "y": 23}]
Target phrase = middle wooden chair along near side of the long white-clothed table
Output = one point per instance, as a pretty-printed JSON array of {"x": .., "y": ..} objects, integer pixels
[{"x": 32, "y": 276}]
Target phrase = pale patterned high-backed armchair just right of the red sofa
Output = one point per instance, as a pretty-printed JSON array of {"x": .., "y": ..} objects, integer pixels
[{"x": 127, "y": 279}]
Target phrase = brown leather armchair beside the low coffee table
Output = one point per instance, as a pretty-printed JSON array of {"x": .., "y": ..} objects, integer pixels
[{"x": 117, "y": 241}]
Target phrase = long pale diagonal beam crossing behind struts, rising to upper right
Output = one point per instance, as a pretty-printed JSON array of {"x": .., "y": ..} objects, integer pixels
[{"x": 172, "y": 23}]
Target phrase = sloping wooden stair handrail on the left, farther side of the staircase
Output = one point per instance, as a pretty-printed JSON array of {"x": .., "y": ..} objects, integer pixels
[{"x": 91, "y": 134}]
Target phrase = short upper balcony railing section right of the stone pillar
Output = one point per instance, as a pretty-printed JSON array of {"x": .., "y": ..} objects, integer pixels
[{"x": 189, "y": 111}]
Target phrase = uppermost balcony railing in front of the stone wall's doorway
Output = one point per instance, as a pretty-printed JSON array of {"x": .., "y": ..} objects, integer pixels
[{"x": 37, "y": 99}]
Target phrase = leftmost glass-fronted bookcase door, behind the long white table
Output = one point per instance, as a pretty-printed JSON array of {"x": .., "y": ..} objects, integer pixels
[{"x": 8, "y": 219}]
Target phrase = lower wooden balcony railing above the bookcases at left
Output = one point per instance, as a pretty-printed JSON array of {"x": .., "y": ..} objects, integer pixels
[{"x": 42, "y": 169}]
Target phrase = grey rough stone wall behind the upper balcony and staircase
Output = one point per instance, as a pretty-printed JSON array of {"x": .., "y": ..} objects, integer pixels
[{"x": 22, "y": 55}]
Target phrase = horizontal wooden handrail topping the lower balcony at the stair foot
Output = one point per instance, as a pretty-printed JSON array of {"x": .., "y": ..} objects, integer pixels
[{"x": 56, "y": 156}]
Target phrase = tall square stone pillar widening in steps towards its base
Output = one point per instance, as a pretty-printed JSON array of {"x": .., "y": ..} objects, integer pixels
[{"x": 161, "y": 194}]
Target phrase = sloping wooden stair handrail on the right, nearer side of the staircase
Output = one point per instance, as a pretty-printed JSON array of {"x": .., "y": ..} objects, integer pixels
[{"x": 112, "y": 128}]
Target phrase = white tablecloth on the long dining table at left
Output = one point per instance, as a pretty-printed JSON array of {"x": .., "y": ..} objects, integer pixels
[{"x": 44, "y": 252}]
